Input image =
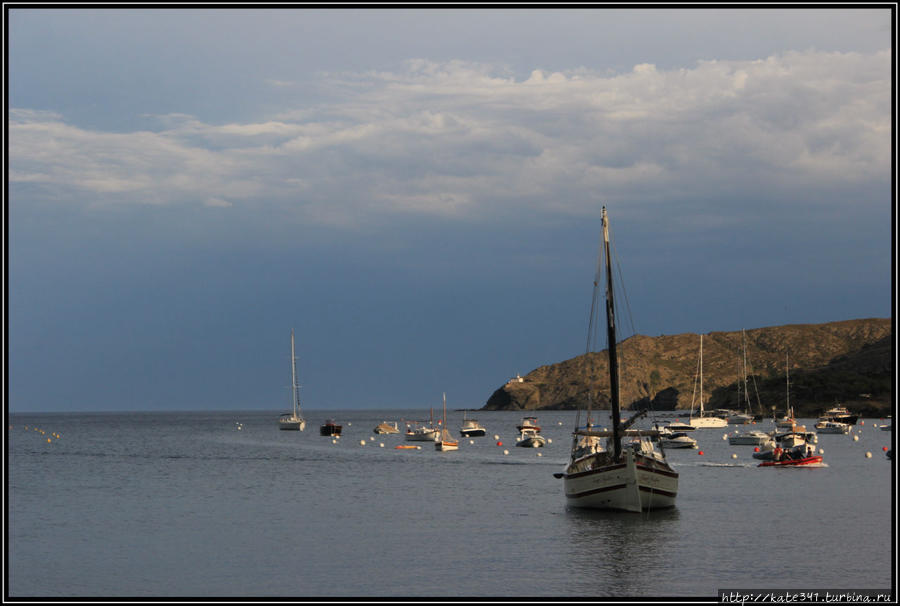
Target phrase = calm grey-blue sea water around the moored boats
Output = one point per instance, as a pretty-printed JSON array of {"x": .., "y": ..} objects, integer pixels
[{"x": 188, "y": 505}]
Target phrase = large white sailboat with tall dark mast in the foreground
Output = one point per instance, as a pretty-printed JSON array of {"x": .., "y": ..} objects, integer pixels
[{"x": 633, "y": 476}]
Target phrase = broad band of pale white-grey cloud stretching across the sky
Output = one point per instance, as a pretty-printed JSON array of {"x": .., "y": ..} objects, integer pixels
[{"x": 462, "y": 139}]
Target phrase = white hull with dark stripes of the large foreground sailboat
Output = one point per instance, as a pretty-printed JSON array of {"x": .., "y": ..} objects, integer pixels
[{"x": 630, "y": 486}]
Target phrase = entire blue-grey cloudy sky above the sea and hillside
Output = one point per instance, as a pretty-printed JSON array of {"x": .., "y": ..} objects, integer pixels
[{"x": 417, "y": 193}]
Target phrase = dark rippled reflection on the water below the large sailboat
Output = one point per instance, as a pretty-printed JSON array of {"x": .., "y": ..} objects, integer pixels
[{"x": 620, "y": 554}]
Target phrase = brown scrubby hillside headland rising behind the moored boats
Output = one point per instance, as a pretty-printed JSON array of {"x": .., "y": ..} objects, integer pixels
[{"x": 849, "y": 362}]
